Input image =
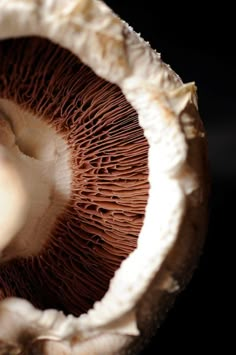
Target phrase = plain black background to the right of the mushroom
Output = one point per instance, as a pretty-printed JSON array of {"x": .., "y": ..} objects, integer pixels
[{"x": 198, "y": 41}]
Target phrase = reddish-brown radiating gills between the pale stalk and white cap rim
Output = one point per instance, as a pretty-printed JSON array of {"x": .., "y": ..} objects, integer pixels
[{"x": 108, "y": 151}]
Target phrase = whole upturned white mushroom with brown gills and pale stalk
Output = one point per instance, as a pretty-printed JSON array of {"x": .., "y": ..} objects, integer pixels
[{"x": 103, "y": 181}]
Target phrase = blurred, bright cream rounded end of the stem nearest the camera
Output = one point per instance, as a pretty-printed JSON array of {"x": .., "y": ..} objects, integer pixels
[{"x": 14, "y": 202}]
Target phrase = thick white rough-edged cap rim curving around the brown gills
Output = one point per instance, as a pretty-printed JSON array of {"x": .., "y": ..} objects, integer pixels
[{"x": 176, "y": 215}]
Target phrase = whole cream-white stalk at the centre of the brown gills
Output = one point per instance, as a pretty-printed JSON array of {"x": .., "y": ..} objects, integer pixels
[{"x": 34, "y": 181}]
